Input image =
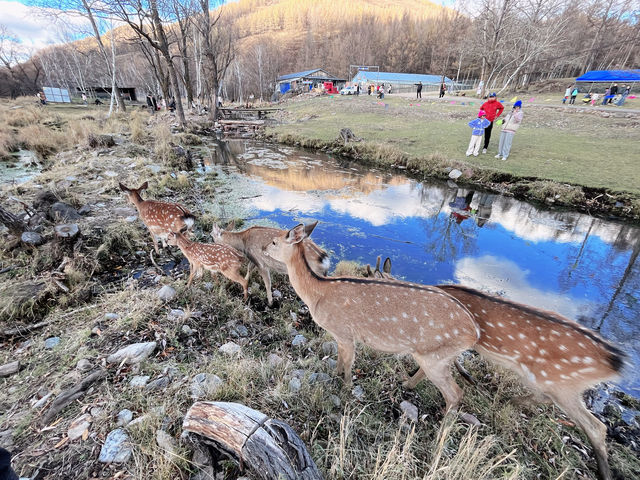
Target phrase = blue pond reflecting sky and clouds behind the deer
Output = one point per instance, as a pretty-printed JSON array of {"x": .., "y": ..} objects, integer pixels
[{"x": 434, "y": 232}]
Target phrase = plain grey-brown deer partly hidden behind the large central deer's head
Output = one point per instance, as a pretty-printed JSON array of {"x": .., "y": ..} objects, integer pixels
[{"x": 252, "y": 241}]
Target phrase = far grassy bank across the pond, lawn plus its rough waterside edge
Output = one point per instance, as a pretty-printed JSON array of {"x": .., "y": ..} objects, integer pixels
[{"x": 563, "y": 156}]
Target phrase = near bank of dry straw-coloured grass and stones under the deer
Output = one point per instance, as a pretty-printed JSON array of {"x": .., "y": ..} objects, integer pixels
[{"x": 110, "y": 271}]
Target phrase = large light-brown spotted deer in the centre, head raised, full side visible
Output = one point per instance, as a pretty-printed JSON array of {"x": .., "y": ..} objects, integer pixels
[{"x": 387, "y": 315}]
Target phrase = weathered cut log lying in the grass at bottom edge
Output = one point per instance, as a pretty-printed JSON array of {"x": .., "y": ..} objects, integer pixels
[{"x": 268, "y": 447}]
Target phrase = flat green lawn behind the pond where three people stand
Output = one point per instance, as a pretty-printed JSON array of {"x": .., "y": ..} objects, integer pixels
[{"x": 553, "y": 144}]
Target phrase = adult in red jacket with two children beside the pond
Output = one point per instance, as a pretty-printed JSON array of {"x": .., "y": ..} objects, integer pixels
[{"x": 483, "y": 126}]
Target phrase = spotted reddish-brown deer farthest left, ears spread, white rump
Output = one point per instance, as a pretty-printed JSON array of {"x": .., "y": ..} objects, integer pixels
[{"x": 161, "y": 218}]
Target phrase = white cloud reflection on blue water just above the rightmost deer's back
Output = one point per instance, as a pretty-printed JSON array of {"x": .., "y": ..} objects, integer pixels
[{"x": 492, "y": 274}]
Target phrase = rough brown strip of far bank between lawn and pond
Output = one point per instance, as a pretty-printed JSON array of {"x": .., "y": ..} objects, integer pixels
[{"x": 593, "y": 201}]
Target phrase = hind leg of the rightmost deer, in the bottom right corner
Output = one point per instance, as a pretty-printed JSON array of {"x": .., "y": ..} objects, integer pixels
[{"x": 573, "y": 405}]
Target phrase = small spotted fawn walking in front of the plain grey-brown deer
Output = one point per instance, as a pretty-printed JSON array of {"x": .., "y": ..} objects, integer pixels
[{"x": 215, "y": 258}]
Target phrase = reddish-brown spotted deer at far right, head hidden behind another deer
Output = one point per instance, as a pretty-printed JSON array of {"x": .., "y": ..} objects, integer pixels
[{"x": 557, "y": 358}]
